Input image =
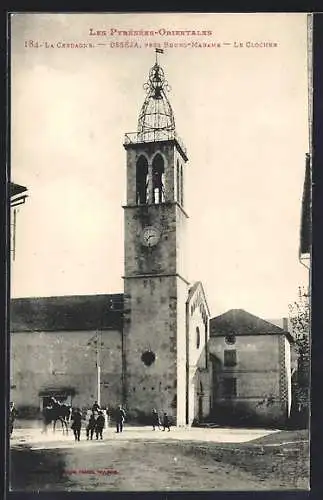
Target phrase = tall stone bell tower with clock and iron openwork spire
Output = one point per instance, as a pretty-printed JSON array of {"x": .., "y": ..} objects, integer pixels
[{"x": 155, "y": 282}]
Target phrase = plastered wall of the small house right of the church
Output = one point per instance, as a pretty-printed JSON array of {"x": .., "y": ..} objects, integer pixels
[{"x": 259, "y": 373}]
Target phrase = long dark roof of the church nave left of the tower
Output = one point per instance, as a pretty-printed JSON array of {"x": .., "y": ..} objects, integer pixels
[{"x": 76, "y": 312}]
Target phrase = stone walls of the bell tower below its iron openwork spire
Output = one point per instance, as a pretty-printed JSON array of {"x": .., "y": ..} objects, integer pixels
[{"x": 155, "y": 292}]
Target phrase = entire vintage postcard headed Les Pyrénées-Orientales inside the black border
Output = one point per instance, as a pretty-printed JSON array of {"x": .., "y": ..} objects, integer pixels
[{"x": 160, "y": 251}]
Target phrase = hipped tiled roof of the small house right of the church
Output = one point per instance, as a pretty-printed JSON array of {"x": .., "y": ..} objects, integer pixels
[{"x": 240, "y": 322}]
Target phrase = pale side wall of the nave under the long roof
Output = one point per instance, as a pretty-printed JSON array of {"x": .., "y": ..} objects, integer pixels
[{"x": 46, "y": 360}]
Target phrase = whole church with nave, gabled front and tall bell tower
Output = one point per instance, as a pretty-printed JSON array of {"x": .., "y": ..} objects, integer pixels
[{"x": 154, "y": 354}]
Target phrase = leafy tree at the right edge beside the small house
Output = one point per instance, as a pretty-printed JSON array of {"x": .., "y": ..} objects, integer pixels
[{"x": 299, "y": 316}]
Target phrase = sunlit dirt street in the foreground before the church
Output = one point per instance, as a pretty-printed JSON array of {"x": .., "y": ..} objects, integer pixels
[{"x": 143, "y": 460}]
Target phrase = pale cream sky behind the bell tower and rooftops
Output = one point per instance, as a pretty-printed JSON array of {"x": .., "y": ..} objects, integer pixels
[{"x": 241, "y": 110}]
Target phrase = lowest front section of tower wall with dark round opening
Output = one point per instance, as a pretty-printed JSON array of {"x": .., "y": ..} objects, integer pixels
[{"x": 150, "y": 325}]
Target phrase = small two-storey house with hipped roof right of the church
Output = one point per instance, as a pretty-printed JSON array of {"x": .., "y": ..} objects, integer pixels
[{"x": 251, "y": 369}]
